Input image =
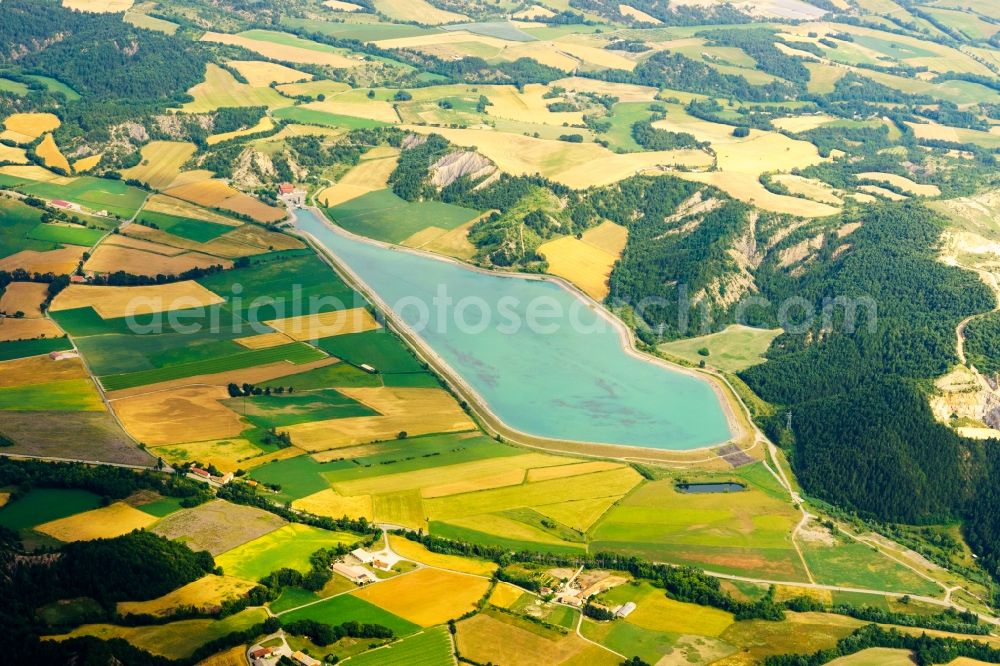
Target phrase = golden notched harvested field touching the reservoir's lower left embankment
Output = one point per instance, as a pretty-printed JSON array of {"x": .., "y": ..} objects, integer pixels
[{"x": 417, "y": 411}]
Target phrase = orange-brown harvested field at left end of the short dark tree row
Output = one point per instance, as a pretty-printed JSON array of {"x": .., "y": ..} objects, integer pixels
[{"x": 187, "y": 414}]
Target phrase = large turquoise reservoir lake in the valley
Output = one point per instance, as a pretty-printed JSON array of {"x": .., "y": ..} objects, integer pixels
[{"x": 546, "y": 361}]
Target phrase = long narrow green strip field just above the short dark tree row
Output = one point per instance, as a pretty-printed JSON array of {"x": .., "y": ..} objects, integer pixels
[{"x": 295, "y": 352}]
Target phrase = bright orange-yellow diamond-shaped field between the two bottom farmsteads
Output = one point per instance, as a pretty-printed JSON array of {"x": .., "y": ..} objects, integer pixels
[{"x": 427, "y": 596}]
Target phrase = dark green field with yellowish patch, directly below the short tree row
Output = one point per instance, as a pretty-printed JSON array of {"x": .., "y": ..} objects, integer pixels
[{"x": 267, "y": 411}]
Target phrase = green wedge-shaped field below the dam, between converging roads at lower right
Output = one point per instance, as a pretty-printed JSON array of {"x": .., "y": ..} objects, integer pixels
[{"x": 851, "y": 564}]
